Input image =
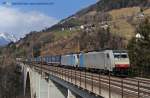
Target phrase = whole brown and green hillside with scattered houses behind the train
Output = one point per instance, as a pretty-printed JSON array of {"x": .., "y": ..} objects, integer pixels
[{"x": 120, "y": 16}]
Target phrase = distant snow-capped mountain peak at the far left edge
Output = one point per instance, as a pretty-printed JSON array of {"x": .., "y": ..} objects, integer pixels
[{"x": 6, "y": 38}]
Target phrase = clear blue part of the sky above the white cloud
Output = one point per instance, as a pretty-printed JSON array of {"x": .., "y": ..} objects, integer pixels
[{"x": 60, "y": 9}]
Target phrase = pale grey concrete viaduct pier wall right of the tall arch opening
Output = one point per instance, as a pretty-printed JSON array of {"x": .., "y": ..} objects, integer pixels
[{"x": 43, "y": 88}]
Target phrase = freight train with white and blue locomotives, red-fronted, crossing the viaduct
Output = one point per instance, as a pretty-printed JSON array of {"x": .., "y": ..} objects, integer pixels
[{"x": 115, "y": 62}]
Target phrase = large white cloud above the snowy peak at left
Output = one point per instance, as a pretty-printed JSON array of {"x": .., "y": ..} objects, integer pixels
[{"x": 20, "y": 23}]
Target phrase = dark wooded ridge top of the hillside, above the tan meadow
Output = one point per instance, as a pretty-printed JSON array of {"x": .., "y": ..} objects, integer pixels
[{"x": 106, "y": 5}]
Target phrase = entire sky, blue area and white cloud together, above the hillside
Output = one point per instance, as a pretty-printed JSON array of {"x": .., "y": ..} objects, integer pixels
[{"x": 21, "y": 19}]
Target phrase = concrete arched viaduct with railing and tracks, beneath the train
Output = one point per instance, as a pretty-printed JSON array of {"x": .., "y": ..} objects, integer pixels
[{"x": 46, "y": 82}]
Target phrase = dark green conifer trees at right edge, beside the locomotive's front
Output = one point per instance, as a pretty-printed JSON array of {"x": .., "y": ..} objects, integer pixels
[{"x": 139, "y": 48}]
